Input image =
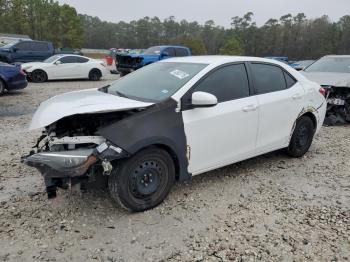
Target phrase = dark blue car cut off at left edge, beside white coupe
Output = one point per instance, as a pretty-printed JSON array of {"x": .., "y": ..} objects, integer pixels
[{"x": 11, "y": 78}]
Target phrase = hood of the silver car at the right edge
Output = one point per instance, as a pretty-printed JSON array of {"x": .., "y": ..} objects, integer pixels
[{"x": 329, "y": 79}]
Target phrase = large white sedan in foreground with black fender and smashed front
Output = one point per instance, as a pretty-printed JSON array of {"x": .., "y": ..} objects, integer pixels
[{"x": 173, "y": 120}]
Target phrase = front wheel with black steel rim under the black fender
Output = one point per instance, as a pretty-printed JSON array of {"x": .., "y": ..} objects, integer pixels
[{"x": 143, "y": 181}]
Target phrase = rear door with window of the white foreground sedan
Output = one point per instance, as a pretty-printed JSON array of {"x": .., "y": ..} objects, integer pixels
[{"x": 280, "y": 99}]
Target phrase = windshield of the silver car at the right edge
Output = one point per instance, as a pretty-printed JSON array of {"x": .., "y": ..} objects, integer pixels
[{"x": 331, "y": 64}]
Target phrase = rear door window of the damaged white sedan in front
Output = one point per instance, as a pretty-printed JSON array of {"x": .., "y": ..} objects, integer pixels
[{"x": 268, "y": 78}]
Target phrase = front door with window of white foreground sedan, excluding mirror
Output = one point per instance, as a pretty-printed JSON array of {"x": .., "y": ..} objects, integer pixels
[{"x": 226, "y": 133}]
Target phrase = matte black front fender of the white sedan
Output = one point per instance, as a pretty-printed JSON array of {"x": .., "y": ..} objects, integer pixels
[{"x": 159, "y": 124}]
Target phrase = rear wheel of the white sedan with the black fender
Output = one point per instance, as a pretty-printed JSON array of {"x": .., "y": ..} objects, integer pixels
[{"x": 302, "y": 137}]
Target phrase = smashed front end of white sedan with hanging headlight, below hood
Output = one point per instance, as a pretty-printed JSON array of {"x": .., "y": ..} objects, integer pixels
[{"x": 70, "y": 152}]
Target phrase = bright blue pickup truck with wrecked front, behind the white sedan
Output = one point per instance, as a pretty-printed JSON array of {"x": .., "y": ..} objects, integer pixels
[{"x": 130, "y": 62}]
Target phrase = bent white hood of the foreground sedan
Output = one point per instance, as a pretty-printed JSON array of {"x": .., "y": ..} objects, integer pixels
[{"x": 80, "y": 102}]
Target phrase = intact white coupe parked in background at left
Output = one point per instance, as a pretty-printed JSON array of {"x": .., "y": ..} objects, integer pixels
[{"x": 59, "y": 67}]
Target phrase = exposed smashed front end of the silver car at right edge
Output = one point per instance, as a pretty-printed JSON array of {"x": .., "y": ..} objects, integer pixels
[{"x": 338, "y": 105}]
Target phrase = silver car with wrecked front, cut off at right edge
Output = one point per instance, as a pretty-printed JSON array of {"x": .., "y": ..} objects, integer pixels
[{"x": 333, "y": 74}]
